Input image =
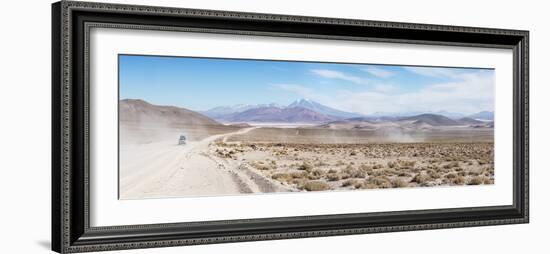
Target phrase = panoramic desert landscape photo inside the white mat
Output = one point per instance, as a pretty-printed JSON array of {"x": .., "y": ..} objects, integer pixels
[{"x": 191, "y": 126}]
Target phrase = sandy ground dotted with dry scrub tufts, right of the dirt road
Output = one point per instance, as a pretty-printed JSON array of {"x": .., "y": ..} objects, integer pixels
[{"x": 319, "y": 167}]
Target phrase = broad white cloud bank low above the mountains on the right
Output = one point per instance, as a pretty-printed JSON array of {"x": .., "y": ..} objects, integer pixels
[{"x": 465, "y": 93}]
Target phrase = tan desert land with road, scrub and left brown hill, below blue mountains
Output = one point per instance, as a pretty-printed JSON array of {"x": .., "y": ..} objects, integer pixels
[{"x": 353, "y": 154}]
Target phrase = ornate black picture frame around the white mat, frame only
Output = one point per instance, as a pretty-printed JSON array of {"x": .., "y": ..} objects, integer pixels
[{"x": 71, "y": 230}]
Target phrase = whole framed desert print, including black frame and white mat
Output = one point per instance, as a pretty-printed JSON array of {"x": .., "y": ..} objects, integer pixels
[{"x": 181, "y": 126}]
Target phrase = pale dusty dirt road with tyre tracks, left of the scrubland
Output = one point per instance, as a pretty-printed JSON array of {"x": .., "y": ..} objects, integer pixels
[{"x": 165, "y": 169}]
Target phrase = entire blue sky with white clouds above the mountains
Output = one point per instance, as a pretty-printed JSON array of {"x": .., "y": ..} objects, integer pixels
[{"x": 204, "y": 83}]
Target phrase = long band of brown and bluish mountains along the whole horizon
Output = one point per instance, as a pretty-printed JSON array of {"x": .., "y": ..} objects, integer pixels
[{"x": 301, "y": 111}]
